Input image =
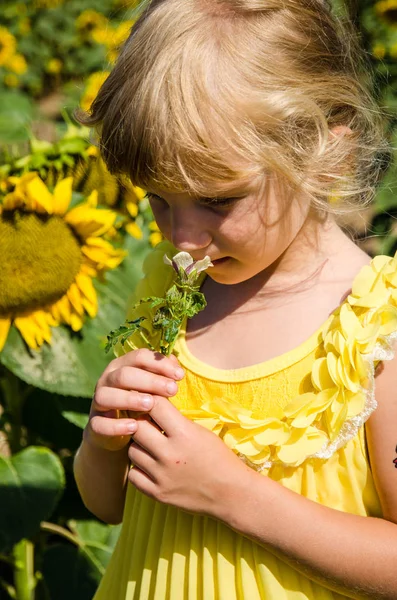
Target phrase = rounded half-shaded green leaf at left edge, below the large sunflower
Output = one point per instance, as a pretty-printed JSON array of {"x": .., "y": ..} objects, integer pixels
[{"x": 31, "y": 483}]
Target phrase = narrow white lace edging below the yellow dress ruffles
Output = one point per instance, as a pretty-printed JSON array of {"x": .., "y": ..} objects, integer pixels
[{"x": 383, "y": 350}]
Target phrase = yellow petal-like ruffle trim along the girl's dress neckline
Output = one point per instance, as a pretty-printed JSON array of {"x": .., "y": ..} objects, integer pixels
[{"x": 355, "y": 338}]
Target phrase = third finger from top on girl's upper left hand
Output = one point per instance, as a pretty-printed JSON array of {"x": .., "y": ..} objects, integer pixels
[{"x": 107, "y": 398}]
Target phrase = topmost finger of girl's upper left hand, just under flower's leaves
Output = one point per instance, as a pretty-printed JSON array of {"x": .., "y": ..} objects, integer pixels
[{"x": 150, "y": 361}]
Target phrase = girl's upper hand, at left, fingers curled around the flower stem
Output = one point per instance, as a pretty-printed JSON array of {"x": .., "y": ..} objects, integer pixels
[{"x": 125, "y": 390}]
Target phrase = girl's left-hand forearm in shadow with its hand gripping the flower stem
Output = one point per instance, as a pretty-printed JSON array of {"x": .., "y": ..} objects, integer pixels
[{"x": 123, "y": 391}]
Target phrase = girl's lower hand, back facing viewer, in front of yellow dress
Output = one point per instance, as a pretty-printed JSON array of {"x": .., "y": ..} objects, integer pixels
[{"x": 187, "y": 466}]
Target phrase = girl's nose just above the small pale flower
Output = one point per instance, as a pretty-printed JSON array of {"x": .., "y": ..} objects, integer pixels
[{"x": 189, "y": 232}]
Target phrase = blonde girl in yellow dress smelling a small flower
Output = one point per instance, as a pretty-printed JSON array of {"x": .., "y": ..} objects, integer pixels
[{"x": 269, "y": 474}]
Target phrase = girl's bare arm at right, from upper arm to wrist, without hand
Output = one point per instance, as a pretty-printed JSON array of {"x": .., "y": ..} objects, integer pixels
[{"x": 350, "y": 554}]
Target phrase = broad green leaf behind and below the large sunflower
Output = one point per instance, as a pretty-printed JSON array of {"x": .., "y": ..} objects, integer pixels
[{"x": 73, "y": 363}]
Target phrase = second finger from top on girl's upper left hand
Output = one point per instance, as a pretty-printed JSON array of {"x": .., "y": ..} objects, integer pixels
[{"x": 132, "y": 378}]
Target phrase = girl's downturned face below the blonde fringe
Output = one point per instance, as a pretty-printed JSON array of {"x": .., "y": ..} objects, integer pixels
[{"x": 243, "y": 235}]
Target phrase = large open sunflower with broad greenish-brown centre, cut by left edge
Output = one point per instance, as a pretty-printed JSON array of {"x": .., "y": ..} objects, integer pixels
[{"x": 50, "y": 254}]
